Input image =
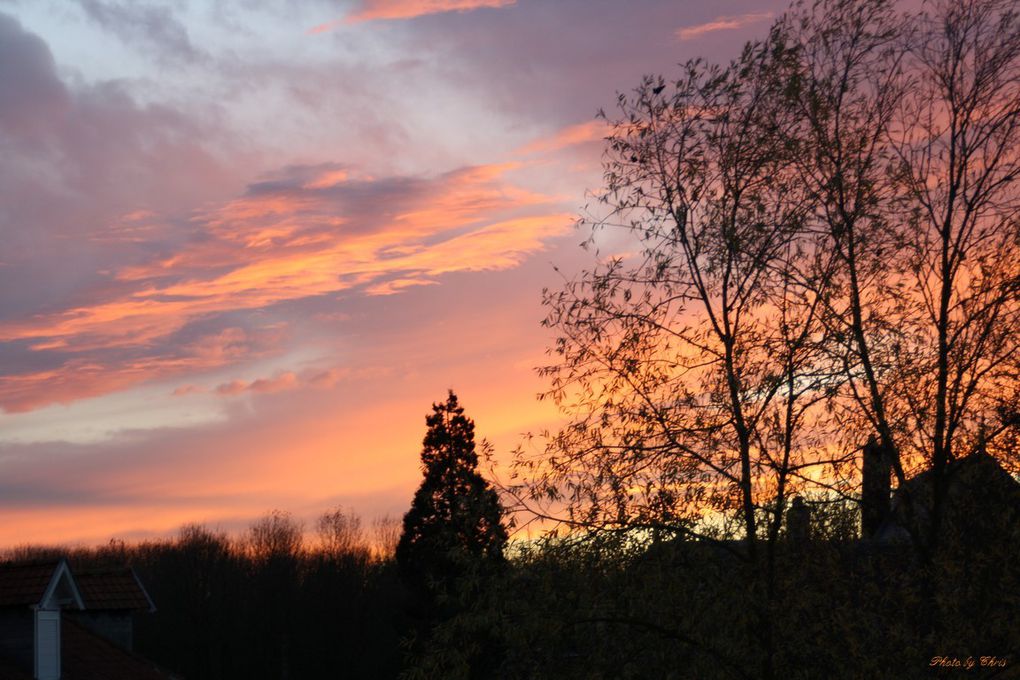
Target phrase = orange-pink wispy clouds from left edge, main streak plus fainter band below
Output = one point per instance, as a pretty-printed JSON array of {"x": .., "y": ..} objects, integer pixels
[{"x": 304, "y": 233}]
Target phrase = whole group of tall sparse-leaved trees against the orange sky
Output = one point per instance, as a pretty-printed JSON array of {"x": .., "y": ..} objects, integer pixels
[{"x": 822, "y": 244}]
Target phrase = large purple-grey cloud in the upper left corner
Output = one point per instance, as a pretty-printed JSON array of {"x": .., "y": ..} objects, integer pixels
[{"x": 73, "y": 162}]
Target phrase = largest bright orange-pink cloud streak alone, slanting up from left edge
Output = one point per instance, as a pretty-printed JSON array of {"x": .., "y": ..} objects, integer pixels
[{"x": 294, "y": 243}]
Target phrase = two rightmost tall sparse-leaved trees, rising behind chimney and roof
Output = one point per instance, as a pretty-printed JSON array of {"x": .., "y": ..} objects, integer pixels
[{"x": 909, "y": 137}]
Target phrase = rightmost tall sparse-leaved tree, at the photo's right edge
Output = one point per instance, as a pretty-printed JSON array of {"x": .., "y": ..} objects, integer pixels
[{"x": 957, "y": 146}]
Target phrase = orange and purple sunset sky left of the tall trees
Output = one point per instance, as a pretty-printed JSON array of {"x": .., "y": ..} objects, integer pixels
[{"x": 246, "y": 244}]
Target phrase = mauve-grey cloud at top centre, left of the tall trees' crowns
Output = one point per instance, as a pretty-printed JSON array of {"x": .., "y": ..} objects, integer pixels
[{"x": 563, "y": 61}]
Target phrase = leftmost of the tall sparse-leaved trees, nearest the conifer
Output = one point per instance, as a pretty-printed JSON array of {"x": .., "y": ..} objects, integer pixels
[{"x": 692, "y": 371}]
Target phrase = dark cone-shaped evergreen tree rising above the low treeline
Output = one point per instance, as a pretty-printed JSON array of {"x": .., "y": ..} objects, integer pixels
[{"x": 455, "y": 518}]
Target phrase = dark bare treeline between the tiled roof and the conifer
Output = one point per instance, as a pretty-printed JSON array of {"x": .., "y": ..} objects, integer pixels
[{"x": 269, "y": 604}]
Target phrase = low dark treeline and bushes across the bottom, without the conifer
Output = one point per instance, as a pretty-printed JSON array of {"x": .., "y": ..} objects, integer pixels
[{"x": 275, "y": 604}]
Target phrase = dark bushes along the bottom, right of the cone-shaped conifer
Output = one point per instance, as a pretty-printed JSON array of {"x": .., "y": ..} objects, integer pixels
[{"x": 613, "y": 607}]
